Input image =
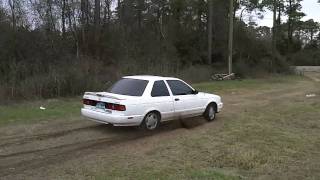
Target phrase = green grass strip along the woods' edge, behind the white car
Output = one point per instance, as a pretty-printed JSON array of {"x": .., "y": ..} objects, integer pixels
[{"x": 29, "y": 112}]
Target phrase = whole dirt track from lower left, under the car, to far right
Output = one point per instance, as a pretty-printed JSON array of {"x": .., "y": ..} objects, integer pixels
[{"x": 29, "y": 150}]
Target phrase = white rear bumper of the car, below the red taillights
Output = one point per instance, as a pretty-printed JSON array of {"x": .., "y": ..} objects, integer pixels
[{"x": 116, "y": 120}]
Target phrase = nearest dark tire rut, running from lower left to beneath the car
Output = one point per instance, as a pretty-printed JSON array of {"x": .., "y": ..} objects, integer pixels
[{"x": 37, "y": 158}]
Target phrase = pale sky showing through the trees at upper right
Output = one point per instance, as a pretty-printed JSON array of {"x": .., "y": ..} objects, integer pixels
[{"x": 310, "y": 7}]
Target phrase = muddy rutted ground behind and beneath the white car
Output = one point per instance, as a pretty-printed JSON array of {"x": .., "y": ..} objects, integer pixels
[{"x": 28, "y": 148}]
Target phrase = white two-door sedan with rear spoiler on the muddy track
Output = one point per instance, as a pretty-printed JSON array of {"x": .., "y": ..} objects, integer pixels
[{"x": 148, "y": 100}]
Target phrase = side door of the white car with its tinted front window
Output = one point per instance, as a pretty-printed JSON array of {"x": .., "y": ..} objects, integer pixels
[{"x": 186, "y": 102}]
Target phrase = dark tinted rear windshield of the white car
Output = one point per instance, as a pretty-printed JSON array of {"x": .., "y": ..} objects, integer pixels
[{"x": 129, "y": 87}]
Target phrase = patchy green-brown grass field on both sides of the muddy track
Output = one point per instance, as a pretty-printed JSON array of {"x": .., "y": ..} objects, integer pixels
[{"x": 269, "y": 129}]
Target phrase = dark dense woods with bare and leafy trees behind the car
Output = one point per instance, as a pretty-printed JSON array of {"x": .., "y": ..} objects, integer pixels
[{"x": 63, "y": 47}]
